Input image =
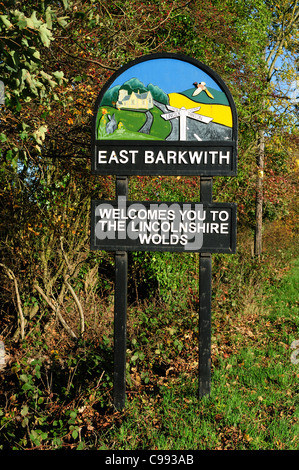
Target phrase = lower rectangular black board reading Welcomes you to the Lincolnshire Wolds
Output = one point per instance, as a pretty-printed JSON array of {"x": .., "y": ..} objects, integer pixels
[{"x": 124, "y": 225}]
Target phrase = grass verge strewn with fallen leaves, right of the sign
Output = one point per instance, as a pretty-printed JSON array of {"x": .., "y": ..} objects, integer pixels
[{"x": 253, "y": 403}]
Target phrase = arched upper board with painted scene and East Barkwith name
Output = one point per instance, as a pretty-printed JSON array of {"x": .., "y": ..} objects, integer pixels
[{"x": 165, "y": 114}]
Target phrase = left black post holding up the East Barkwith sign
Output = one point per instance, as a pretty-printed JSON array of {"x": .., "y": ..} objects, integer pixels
[{"x": 120, "y": 313}]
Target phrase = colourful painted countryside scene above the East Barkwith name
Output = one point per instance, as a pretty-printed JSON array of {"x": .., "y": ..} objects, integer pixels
[{"x": 164, "y": 99}]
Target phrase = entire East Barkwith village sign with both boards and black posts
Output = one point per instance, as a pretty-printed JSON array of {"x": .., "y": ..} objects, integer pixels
[{"x": 164, "y": 114}]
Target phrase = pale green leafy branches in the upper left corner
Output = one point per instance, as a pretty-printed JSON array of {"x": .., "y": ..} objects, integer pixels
[{"x": 25, "y": 80}]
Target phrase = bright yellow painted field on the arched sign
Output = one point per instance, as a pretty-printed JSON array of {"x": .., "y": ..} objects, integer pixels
[{"x": 221, "y": 114}]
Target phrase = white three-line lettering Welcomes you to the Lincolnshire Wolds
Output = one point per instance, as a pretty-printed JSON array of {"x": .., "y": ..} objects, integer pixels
[{"x": 165, "y": 224}]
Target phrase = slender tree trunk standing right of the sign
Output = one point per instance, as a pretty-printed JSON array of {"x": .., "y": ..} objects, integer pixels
[{"x": 259, "y": 195}]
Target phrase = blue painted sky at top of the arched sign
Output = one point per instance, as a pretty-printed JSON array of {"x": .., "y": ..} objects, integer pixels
[{"x": 171, "y": 75}]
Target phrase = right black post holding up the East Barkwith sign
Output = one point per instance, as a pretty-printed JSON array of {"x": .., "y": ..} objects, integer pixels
[{"x": 205, "y": 281}]
